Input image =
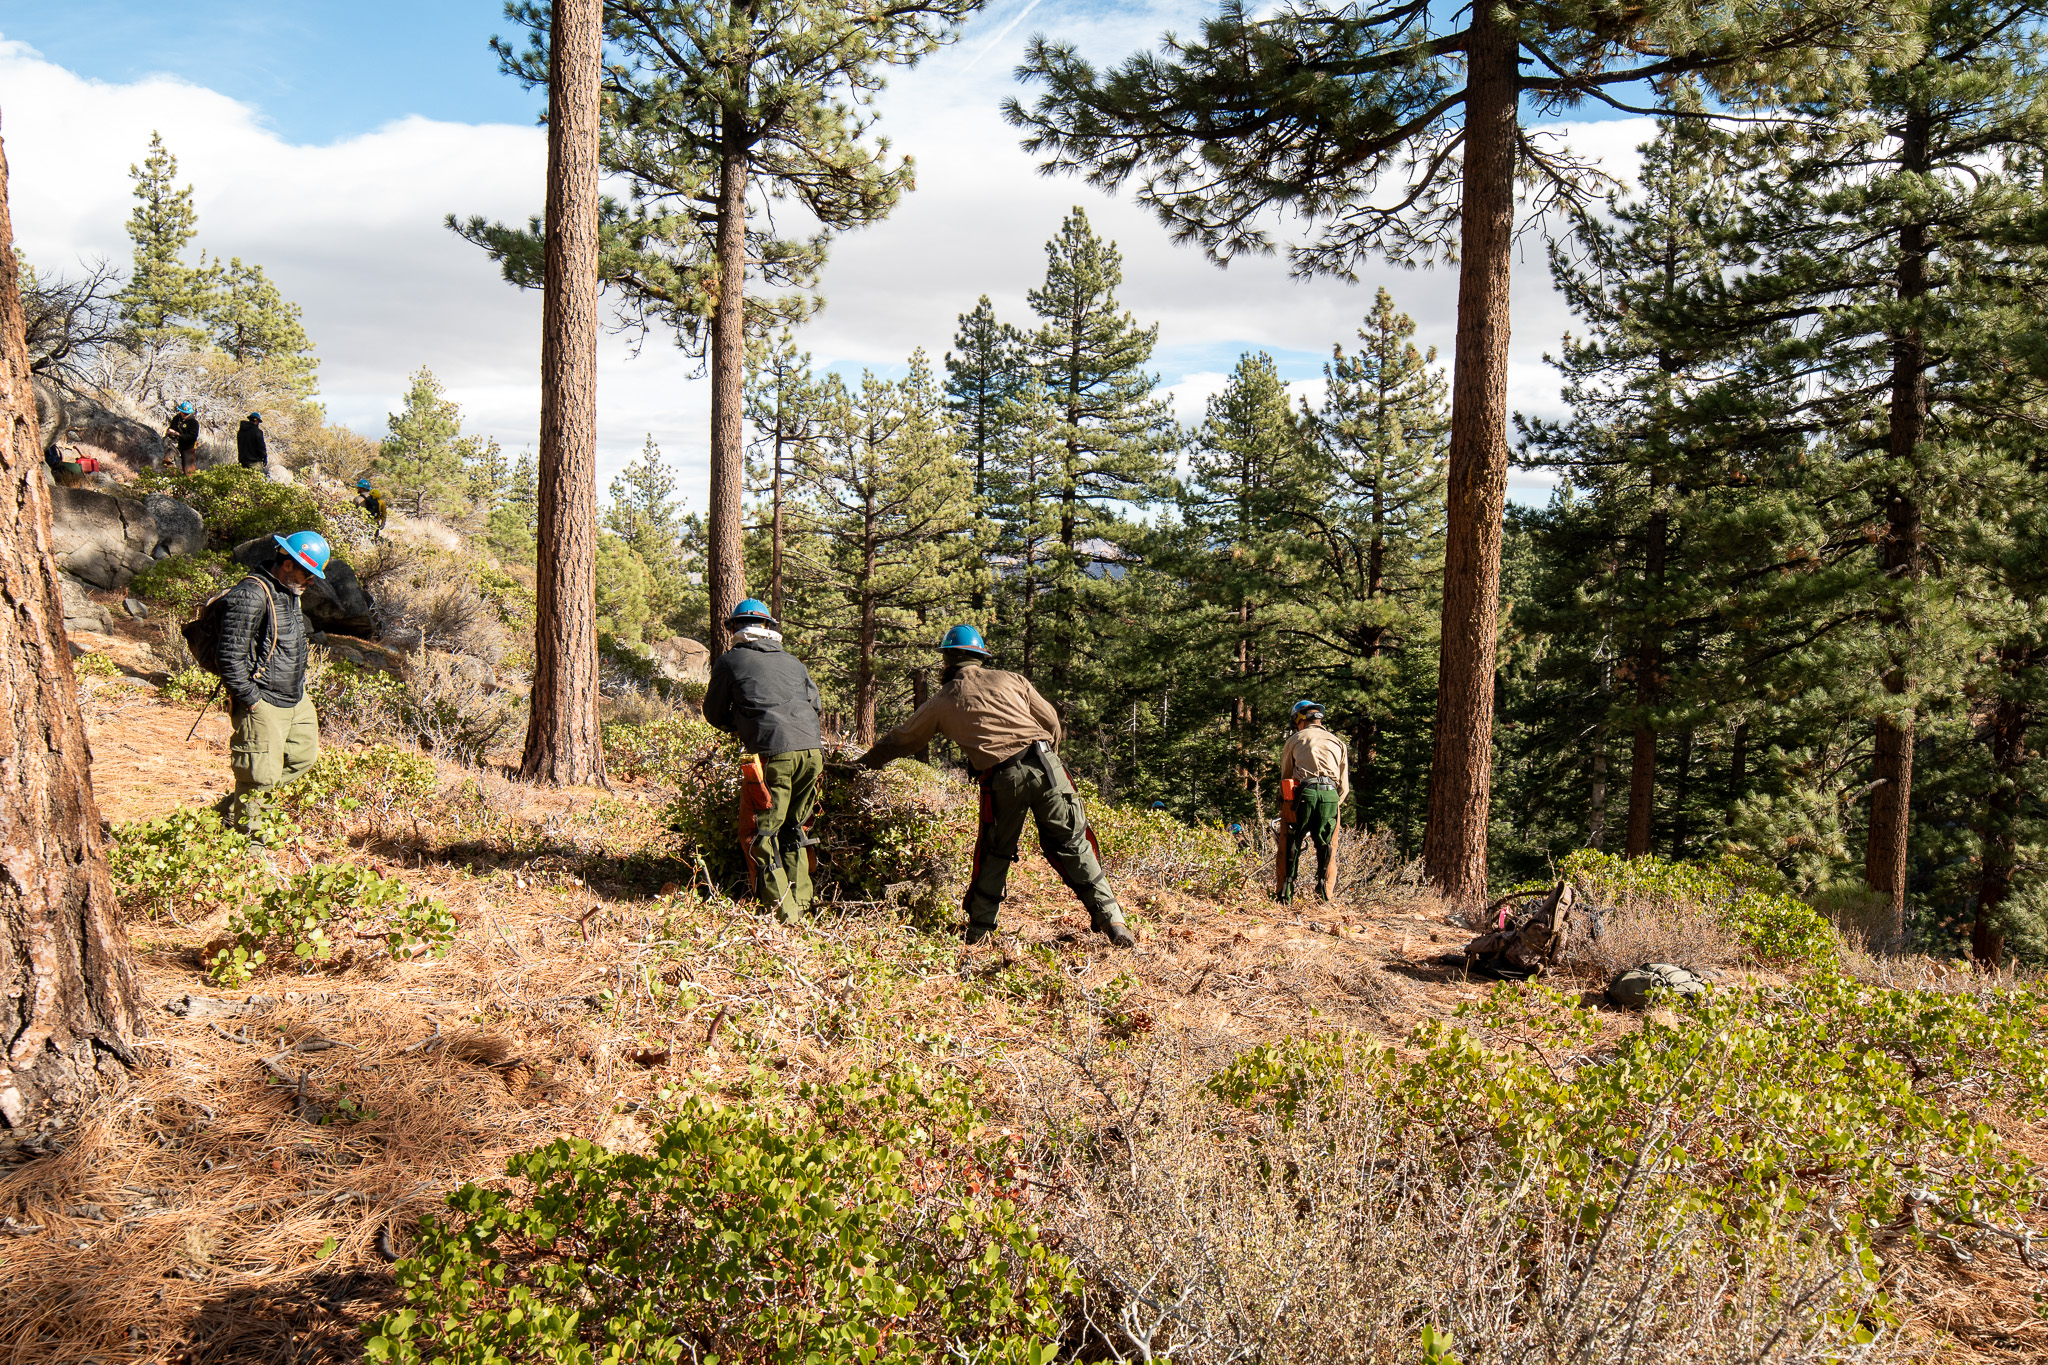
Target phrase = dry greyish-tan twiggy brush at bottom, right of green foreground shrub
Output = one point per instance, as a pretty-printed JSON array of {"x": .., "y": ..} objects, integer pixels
[{"x": 1220, "y": 1235}]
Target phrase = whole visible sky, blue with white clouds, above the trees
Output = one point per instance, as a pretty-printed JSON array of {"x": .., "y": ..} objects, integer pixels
[{"x": 329, "y": 140}]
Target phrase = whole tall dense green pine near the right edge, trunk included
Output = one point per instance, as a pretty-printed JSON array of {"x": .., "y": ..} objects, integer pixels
[{"x": 1885, "y": 232}]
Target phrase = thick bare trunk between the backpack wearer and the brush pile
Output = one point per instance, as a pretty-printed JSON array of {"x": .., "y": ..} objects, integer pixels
[{"x": 564, "y": 744}]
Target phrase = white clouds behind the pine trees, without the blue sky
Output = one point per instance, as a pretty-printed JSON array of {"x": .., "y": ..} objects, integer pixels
[{"x": 353, "y": 234}]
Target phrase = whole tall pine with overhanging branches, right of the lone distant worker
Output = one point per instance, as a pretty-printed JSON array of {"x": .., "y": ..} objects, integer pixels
[{"x": 1398, "y": 132}]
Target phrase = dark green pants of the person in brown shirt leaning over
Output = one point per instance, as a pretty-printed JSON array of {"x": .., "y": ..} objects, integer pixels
[{"x": 1013, "y": 793}]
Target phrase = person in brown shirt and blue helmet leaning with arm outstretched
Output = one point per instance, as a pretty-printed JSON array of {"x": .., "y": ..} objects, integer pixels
[{"x": 1011, "y": 736}]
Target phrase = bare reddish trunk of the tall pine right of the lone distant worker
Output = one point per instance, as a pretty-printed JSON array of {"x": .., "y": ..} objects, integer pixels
[{"x": 1461, "y": 768}]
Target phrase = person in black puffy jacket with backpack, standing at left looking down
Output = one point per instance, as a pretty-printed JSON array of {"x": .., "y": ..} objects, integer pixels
[{"x": 263, "y": 668}]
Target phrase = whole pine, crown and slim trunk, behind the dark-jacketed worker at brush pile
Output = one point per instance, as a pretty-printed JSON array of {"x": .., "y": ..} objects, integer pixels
[{"x": 712, "y": 112}]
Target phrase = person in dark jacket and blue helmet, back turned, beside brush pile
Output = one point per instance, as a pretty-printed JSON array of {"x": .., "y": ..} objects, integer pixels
[{"x": 767, "y": 699}]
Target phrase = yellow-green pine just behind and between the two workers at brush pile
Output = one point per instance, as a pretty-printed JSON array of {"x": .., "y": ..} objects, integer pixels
[{"x": 890, "y": 537}]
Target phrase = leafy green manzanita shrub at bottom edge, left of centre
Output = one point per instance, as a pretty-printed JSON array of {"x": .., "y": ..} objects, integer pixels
[{"x": 867, "y": 1223}]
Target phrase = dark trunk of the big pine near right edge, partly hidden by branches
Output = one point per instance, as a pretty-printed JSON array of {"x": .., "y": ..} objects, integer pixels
[{"x": 1900, "y": 554}]
